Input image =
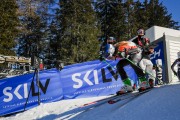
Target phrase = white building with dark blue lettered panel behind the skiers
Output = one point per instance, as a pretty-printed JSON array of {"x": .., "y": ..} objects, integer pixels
[{"x": 168, "y": 41}]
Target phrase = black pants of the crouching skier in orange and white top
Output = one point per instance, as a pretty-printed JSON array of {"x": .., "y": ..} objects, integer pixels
[{"x": 124, "y": 62}]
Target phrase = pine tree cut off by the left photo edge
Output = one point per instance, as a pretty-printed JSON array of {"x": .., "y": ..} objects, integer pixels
[{"x": 8, "y": 26}]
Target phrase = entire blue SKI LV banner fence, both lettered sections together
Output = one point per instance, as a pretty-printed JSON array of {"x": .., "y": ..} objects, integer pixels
[{"x": 93, "y": 78}]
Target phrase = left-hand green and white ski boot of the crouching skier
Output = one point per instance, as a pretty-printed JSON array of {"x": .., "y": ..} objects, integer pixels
[{"x": 126, "y": 88}]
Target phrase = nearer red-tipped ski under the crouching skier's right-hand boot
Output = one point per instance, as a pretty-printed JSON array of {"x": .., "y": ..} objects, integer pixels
[{"x": 112, "y": 101}]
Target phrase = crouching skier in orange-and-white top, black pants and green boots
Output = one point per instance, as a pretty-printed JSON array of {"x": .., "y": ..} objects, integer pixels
[{"x": 129, "y": 51}]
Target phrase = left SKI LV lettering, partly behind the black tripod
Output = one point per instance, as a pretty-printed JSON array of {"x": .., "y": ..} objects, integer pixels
[{"x": 10, "y": 93}]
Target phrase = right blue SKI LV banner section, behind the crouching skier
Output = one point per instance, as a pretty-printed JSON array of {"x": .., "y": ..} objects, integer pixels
[{"x": 93, "y": 78}]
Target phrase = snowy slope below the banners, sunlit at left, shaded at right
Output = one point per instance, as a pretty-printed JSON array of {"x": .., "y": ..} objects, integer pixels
[{"x": 161, "y": 103}]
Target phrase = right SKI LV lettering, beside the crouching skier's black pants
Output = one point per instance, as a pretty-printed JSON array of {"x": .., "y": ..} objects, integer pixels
[{"x": 85, "y": 79}]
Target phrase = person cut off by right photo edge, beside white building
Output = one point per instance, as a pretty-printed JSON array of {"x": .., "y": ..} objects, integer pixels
[{"x": 176, "y": 62}]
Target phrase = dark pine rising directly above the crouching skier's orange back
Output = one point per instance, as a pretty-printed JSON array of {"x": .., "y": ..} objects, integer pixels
[{"x": 112, "y": 18}]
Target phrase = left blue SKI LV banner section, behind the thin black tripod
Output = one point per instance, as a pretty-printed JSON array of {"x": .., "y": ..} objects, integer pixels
[{"x": 14, "y": 91}]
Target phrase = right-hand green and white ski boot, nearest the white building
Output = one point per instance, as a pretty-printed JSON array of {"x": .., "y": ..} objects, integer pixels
[{"x": 143, "y": 84}]
